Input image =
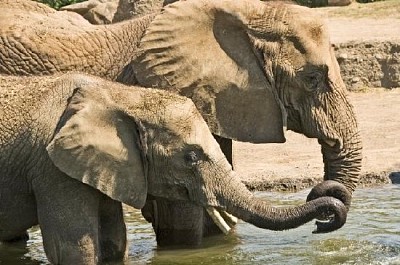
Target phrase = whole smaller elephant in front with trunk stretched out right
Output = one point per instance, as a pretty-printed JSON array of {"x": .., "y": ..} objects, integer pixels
[{"x": 73, "y": 147}]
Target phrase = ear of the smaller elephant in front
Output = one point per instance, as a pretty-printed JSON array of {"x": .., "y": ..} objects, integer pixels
[{"x": 101, "y": 146}]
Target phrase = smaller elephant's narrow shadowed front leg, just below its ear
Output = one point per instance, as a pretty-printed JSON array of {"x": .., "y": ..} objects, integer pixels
[{"x": 113, "y": 240}]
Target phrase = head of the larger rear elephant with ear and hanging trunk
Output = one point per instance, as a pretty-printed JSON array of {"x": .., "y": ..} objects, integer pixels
[{"x": 255, "y": 69}]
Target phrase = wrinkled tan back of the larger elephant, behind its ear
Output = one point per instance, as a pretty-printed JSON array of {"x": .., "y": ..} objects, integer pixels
[{"x": 38, "y": 40}]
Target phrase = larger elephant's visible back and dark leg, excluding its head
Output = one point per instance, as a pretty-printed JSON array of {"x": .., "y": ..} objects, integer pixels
[{"x": 63, "y": 42}]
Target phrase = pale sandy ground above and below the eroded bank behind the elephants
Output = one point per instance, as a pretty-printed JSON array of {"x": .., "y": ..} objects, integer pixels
[{"x": 297, "y": 163}]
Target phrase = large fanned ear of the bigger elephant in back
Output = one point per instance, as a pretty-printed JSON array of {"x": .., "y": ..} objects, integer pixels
[{"x": 201, "y": 50}]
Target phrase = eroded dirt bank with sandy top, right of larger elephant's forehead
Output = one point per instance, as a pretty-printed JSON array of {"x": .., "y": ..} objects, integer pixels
[{"x": 368, "y": 51}]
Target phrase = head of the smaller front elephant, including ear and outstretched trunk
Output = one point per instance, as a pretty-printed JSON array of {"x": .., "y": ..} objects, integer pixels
[{"x": 131, "y": 142}]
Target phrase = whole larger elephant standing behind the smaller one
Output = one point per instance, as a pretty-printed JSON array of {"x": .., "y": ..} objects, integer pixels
[{"x": 258, "y": 71}]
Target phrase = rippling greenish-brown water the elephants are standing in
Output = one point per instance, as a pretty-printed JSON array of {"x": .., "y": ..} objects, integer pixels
[{"x": 370, "y": 236}]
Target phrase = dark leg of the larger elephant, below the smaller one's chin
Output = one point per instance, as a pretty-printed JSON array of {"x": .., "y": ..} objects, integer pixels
[{"x": 176, "y": 223}]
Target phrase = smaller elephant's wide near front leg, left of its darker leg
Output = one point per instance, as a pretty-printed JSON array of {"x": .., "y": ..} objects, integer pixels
[{"x": 68, "y": 213}]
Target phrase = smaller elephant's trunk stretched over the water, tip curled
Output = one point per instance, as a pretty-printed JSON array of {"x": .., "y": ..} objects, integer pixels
[{"x": 259, "y": 213}]
